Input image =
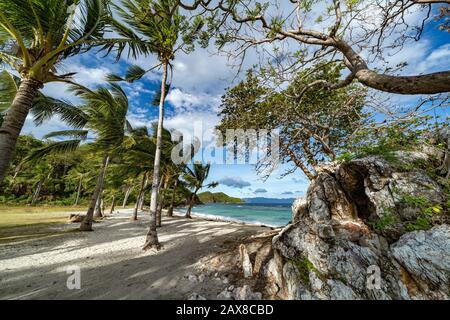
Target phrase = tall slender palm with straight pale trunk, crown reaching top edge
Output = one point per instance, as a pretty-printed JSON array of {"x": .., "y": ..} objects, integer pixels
[{"x": 159, "y": 24}]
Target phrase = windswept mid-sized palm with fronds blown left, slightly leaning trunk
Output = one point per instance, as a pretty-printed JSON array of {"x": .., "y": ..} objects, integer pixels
[{"x": 104, "y": 116}]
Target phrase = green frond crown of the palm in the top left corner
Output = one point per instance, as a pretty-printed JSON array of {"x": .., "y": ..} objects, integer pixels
[{"x": 41, "y": 33}]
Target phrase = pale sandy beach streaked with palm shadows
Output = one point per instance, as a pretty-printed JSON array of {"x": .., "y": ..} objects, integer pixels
[{"x": 111, "y": 261}]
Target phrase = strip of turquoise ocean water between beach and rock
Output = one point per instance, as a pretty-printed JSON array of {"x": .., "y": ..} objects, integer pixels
[{"x": 275, "y": 215}]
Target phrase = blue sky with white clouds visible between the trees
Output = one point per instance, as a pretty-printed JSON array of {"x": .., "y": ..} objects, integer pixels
[{"x": 200, "y": 79}]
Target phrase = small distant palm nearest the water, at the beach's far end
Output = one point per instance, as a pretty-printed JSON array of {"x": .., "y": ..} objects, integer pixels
[{"x": 195, "y": 179}]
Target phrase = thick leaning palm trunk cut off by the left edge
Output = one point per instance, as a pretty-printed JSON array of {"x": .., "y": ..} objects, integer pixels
[{"x": 14, "y": 121}]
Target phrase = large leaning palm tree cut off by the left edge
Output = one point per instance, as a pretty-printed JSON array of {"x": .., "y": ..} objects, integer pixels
[{"x": 35, "y": 37}]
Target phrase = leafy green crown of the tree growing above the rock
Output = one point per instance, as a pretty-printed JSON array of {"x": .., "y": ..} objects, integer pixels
[{"x": 314, "y": 126}]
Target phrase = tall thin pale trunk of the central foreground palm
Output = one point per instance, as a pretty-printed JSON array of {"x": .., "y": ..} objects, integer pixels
[{"x": 151, "y": 240}]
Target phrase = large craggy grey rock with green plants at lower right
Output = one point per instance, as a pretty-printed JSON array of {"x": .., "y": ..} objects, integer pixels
[{"x": 369, "y": 228}]
